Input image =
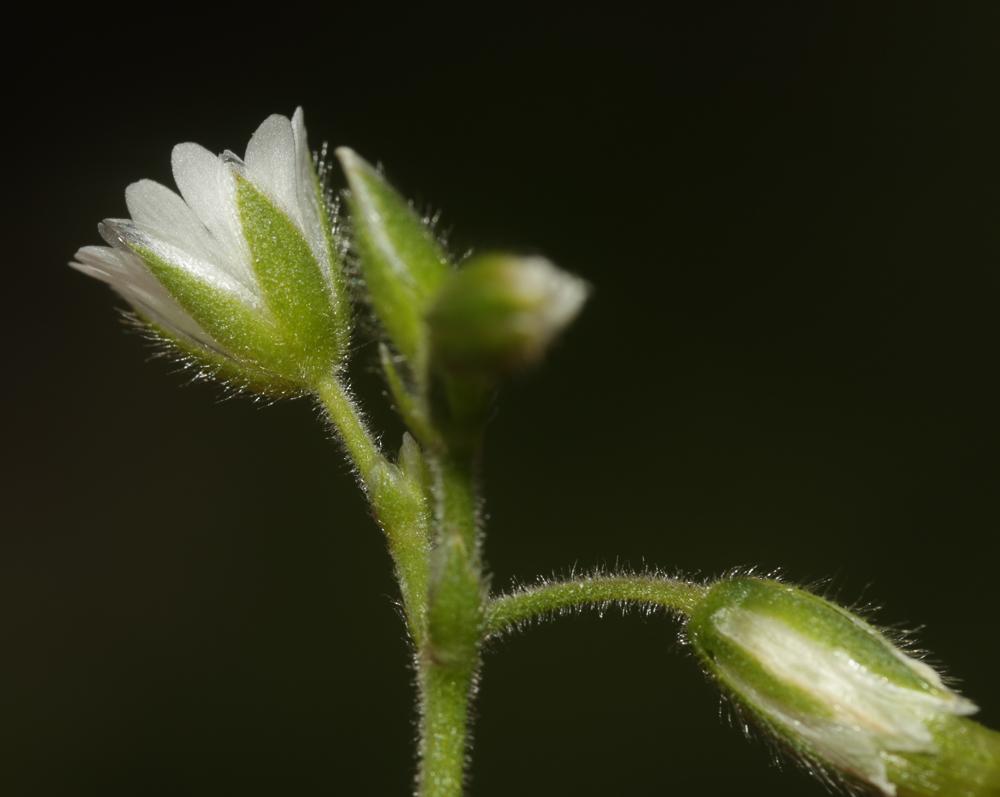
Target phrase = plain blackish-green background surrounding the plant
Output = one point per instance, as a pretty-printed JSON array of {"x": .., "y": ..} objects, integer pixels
[{"x": 790, "y": 214}]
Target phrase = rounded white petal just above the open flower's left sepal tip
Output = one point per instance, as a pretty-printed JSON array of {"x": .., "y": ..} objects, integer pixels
[{"x": 162, "y": 213}]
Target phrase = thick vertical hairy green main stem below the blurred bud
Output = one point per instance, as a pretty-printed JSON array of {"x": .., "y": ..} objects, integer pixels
[{"x": 449, "y": 661}]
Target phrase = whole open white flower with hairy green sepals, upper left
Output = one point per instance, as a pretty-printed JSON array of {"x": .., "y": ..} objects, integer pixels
[{"x": 241, "y": 269}]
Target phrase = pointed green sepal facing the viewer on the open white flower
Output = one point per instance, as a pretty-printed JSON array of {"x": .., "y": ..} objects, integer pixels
[{"x": 295, "y": 290}]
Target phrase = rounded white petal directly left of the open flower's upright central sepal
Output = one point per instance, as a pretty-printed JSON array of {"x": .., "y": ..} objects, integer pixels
[{"x": 208, "y": 186}]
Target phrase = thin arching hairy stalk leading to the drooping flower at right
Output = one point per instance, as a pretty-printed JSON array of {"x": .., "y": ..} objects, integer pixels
[{"x": 509, "y": 611}]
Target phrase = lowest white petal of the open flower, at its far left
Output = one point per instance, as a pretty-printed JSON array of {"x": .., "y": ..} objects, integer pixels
[{"x": 128, "y": 275}]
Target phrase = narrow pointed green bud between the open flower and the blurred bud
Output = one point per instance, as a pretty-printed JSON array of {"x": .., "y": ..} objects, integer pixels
[{"x": 402, "y": 262}]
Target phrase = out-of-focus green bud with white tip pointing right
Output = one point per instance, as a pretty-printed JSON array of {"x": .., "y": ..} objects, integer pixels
[{"x": 500, "y": 312}]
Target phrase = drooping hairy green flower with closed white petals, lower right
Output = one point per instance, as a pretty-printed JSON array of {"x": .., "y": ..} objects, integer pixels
[{"x": 840, "y": 694}]
